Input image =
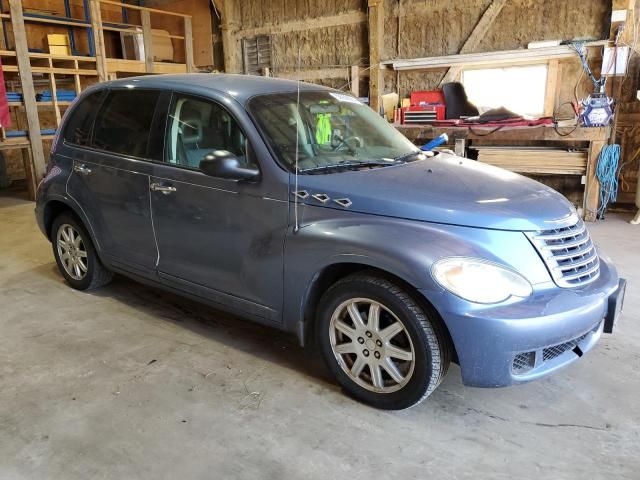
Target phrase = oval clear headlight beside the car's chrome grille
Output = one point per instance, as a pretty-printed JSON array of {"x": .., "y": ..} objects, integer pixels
[{"x": 478, "y": 280}]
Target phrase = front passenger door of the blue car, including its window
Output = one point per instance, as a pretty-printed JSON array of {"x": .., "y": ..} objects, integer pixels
[{"x": 217, "y": 236}]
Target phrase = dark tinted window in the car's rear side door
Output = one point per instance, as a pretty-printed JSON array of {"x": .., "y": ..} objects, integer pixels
[{"x": 124, "y": 122}]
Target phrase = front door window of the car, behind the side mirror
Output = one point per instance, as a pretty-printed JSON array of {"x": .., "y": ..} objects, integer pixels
[{"x": 196, "y": 127}]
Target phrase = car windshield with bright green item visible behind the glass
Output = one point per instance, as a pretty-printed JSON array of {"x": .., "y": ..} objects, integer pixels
[{"x": 333, "y": 130}]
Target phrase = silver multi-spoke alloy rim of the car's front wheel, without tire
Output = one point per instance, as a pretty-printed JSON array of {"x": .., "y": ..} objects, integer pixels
[{"x": 372, "y": 345}]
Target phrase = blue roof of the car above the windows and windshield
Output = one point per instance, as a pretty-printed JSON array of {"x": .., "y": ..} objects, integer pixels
[{"x": 240, "y": 87}]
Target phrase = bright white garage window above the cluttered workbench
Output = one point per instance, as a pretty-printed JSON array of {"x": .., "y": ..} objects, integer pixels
[{"x": 519, "y": 89}]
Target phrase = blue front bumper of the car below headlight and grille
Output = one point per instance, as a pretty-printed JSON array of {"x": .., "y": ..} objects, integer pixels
[{"x": 522, "y": 341}]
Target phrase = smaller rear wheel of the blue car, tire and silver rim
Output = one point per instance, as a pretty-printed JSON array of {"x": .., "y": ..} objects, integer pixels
[{"x": 75, "y": 254}]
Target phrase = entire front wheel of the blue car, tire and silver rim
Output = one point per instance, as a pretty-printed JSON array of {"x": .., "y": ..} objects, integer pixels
[{"x": 382, "y": 346}]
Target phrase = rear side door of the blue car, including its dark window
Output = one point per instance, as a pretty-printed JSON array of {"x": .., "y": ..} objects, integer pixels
[{"x": 110, "y": 178}]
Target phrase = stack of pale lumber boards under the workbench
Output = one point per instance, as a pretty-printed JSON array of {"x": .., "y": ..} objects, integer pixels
[{"x": 535, "y": 160}]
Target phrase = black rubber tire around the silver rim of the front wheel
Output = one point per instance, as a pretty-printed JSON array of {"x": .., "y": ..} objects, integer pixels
[{"x": 429, "y": 342}]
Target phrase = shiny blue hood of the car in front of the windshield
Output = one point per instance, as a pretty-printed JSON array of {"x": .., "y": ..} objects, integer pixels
[{"x": 443, "y": 189}]
